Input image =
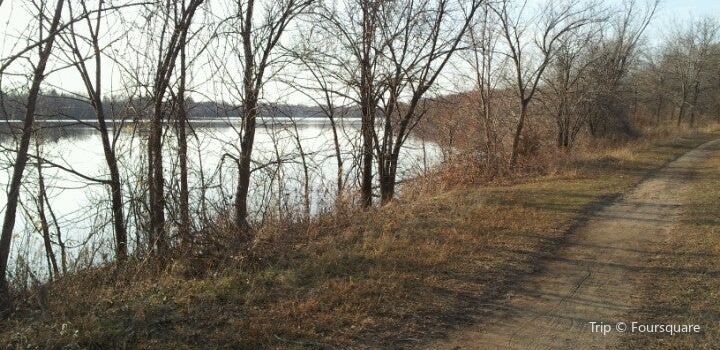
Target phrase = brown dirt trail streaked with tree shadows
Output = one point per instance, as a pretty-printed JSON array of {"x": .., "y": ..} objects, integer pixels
[{"x": 595, "y": 277}]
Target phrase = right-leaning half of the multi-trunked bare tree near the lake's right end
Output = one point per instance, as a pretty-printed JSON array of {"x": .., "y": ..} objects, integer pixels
[{"x": 420, "y": 40}]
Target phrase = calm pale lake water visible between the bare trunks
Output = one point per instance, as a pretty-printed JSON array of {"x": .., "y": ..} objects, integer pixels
[{"x": 82, "y": 206}]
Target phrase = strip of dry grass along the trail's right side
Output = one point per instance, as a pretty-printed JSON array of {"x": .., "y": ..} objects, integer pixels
[{"x": 688, "y": 291}]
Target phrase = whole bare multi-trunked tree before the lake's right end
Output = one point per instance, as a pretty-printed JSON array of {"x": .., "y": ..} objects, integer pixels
[{"x": 393, "y": 54}]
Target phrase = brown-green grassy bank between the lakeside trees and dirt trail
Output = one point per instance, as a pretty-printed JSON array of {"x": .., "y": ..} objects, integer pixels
[{"x": 396, "y": 275}]
